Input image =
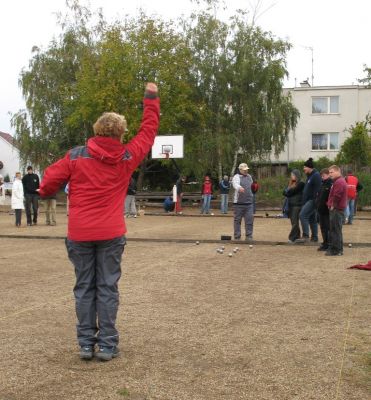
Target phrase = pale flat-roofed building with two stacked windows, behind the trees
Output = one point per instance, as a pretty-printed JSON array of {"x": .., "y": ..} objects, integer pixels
[{"x": 326, "y": 112}]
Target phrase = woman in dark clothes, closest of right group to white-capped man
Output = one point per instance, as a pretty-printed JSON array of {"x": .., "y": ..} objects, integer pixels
[{"x": 294, "y": 194}]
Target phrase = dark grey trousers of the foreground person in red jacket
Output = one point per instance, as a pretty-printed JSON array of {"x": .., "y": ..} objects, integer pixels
[{"x": 98, "y": 270}]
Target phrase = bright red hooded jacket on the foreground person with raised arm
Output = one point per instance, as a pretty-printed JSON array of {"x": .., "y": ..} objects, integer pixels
[{"x": 98, "y": 176}]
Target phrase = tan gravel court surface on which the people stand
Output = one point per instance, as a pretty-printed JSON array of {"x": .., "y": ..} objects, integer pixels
[{"x": 273, "y": 322}]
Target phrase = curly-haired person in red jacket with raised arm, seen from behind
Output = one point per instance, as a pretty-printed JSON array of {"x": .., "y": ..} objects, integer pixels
[{"x": 98, "y": 176}]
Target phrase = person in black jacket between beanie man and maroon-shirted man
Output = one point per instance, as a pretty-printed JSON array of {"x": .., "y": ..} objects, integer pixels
[{"x": 322, "y": 209}]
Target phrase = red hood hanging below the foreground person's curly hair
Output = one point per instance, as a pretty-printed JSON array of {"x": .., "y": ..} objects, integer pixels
[{"x": 106, "y": 149}]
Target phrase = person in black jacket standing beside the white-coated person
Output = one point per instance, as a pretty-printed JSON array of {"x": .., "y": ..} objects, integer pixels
[{"x": 31, "y": 183}]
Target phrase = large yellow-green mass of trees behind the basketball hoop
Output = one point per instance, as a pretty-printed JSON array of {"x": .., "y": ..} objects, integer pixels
[{"x": 220, "y": 85}]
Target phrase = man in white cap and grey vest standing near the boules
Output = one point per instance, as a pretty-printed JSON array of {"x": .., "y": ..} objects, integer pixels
[{"x": 243, "y": 202}]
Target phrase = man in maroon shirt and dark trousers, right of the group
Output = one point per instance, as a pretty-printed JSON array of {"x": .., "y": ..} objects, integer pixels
[{"x": 337, "y": 203}]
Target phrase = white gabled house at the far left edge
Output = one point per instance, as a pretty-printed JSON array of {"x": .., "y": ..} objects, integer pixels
[{"x": 9, "y": 156}]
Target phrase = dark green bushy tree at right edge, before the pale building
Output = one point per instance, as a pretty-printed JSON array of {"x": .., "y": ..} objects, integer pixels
[{"x": 356, "y": 150}]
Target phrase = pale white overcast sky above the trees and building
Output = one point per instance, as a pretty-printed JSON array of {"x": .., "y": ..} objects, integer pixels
[{"x": 337, "y": 30}]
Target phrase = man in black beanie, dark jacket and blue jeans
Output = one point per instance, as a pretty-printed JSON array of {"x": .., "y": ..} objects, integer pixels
[{"x": 308, "y": 213}]
